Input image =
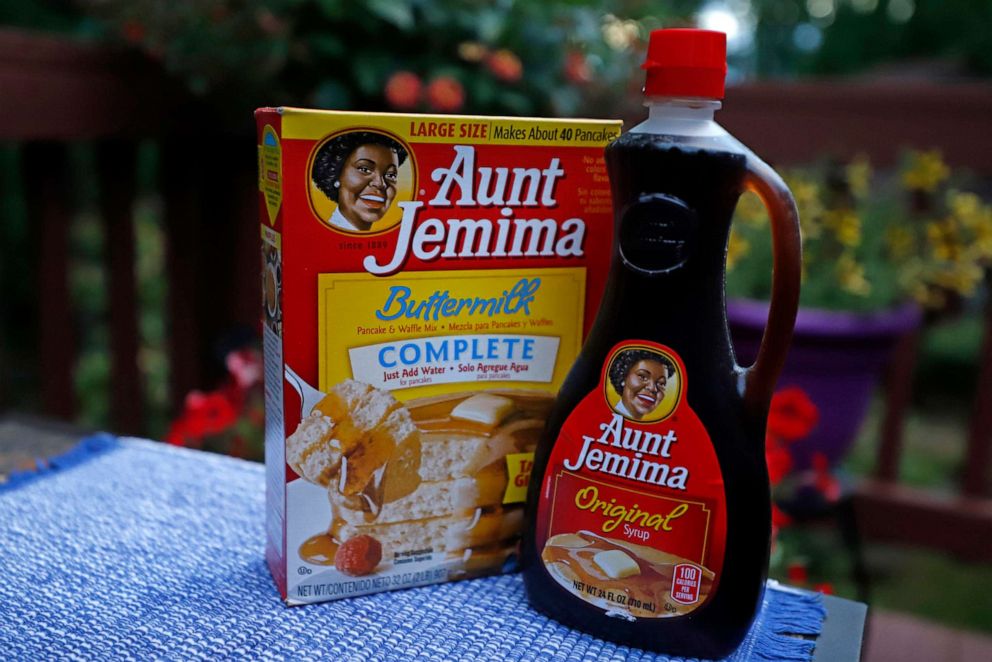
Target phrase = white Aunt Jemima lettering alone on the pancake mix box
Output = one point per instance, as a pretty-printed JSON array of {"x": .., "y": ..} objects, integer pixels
[{"x": 462, "y": 184}]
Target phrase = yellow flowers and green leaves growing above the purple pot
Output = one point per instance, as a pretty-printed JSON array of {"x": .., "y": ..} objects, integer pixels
[{"x": 870, "y": 245}]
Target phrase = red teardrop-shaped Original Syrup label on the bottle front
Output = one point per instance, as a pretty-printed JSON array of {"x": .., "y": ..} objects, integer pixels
[{"x": 632, "y": 512}]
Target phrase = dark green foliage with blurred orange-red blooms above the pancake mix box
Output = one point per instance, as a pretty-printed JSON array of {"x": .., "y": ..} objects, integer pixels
[{"x": 553, "y": 57}]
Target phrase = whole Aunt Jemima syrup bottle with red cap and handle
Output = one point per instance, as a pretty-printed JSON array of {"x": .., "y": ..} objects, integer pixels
[{"x": 649, "y": 508}]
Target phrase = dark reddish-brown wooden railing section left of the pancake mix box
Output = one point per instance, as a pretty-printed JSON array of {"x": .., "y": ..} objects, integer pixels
[{"x": 54, "y": 93}]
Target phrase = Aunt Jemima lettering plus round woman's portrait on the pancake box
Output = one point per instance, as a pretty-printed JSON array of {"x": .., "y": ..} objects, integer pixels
[{"x": 358, "y": 175}]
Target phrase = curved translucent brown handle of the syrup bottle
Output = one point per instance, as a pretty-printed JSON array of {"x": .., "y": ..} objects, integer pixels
[{"x": 760, "y": 377}]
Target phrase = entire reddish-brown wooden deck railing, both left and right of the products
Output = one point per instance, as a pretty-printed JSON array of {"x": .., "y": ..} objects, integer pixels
[{"x": 53, "y": 93}]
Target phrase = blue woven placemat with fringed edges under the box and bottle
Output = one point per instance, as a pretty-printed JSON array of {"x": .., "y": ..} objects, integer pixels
[{"x": 135, "y": 549}]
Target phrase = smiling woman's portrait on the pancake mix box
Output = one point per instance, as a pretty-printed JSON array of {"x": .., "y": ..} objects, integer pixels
[{"x": 359, "y": 171}]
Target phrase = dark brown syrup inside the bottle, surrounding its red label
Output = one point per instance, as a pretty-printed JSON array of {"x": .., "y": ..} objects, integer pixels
[{"x": 667, "y": 285}]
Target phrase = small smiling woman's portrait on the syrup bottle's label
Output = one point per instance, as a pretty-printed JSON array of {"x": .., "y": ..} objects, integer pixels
[{"x": 640, "y": 378}]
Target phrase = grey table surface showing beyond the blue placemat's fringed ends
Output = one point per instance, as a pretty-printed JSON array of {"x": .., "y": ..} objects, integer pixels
[{"x": 24, "y": 440}]
